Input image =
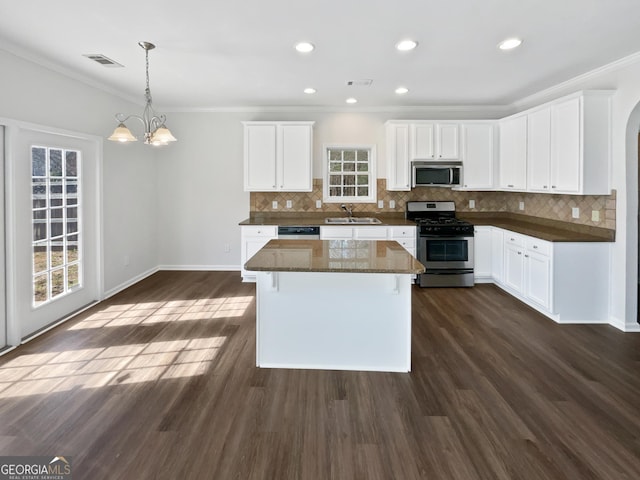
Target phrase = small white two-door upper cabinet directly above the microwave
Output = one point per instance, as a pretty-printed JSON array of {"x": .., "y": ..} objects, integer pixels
[{"x": 435, "y": 141}]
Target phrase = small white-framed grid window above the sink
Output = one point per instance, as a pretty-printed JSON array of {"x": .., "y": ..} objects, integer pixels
[{"x": 350, "y": 174}]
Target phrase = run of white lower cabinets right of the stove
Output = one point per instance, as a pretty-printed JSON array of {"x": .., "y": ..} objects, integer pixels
[{"x": 566, "y": 281}]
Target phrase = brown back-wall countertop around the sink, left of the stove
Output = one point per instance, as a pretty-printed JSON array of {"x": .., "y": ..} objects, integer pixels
[{"x": 317, "y": 219}]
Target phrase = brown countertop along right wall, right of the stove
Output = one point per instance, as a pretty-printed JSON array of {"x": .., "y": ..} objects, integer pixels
[{"x": 544, "y": 229}]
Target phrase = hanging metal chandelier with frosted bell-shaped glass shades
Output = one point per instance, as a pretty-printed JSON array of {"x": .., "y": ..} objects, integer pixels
[{"x": 155, "y": 131}]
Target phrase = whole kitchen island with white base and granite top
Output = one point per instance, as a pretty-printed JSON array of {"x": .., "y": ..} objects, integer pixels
[{"x": 334, "y": 304}]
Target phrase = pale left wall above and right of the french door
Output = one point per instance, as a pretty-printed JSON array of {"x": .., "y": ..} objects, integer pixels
[{"x": 34, "y": 94}]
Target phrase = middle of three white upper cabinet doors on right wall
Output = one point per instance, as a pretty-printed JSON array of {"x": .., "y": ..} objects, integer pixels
[{"x": 539, "y": 151}]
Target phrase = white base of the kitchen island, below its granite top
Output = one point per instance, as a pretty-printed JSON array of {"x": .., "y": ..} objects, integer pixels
[{"x": 334, "y": 321}]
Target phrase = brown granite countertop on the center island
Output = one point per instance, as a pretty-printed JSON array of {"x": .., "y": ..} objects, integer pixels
[{"x": 342, "y": 256}]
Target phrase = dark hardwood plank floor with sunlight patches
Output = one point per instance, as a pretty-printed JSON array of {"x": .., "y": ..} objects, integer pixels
[{"x": 160, "y": 381}]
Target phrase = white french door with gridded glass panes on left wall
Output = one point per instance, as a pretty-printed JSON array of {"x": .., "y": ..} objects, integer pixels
[{"x": 53, "y": 228}]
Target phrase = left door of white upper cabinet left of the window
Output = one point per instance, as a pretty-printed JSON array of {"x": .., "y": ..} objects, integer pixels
[{"x": 260, "y": 158}]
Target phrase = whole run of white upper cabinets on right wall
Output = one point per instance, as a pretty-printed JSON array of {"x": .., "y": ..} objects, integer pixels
[{"x": 565, "y": 145}]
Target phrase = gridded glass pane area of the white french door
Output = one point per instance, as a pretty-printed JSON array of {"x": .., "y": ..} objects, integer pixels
[{"x": 55, "y": 207}]
